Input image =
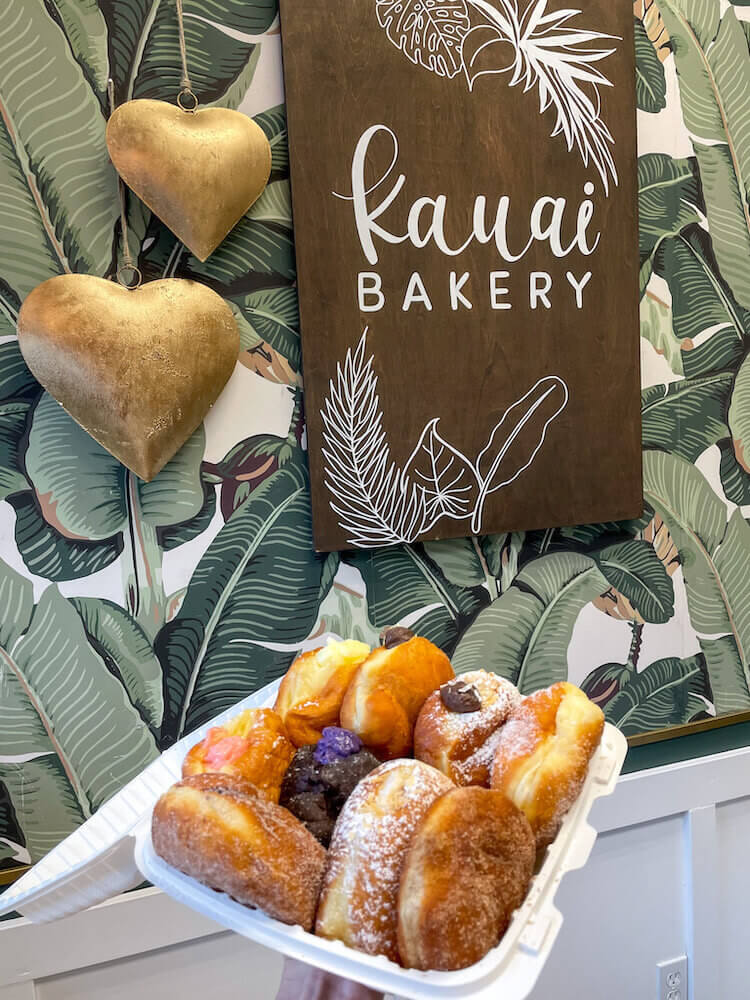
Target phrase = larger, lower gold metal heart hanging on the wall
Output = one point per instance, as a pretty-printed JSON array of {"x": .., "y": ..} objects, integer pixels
[{"x": 137, "y": 369}]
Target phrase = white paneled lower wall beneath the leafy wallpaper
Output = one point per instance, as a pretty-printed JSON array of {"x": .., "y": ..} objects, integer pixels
[{"x": 669, "y": 875}]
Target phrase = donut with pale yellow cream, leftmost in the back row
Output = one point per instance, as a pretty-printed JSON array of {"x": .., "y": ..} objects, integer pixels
[{"x": 313, "y": 688}]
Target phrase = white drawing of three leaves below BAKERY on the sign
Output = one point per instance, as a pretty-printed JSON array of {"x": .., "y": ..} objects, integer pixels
[{"x": 377, "y": 502}]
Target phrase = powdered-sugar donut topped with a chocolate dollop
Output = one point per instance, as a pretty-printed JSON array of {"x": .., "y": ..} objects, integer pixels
[{"x": 454, "y": 730}]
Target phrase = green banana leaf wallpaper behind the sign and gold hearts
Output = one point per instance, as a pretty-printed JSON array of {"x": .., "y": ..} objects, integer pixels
[{"x": 131, "y": 613}]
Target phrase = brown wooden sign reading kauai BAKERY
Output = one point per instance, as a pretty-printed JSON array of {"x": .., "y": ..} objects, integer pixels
[{"x": 464, "y": 196}]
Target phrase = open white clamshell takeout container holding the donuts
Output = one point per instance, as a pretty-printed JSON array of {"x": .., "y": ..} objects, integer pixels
[{"x": 113, "y": 852}]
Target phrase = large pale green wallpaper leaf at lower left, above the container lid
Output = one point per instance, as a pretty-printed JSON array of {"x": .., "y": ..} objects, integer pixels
[{"x": 60, "y": 757}]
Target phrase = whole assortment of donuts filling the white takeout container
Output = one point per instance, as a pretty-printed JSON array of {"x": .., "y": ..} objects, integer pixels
[{"x": 383, "y": 801}]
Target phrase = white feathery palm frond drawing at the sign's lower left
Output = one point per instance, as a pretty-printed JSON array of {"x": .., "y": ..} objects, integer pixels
[{"x": 376, "y": 503}]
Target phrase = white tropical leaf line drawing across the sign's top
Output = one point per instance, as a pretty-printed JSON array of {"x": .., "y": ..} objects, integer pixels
[{"x": 547, "y": 53}]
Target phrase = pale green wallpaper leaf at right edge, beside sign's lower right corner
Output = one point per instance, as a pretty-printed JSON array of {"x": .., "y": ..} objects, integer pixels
[{"x": 714, "y": 554}]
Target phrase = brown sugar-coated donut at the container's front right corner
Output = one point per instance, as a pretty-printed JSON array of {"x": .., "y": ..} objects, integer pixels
[{"x": 468, "y": 868}]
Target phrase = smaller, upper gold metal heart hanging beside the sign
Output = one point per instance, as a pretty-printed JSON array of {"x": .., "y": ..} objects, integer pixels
[{"x": 198, "y": 171}]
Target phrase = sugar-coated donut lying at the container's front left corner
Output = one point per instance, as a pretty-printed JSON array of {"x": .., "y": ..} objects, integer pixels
[{"x": 220, "y": 830}]
